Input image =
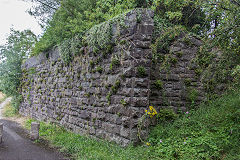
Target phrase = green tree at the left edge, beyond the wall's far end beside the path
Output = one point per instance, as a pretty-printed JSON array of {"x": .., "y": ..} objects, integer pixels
[{"x": 12, "y": 54}]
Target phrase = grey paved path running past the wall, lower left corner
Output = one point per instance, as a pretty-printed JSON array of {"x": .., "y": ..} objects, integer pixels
[{"x": 17, "y": 146}]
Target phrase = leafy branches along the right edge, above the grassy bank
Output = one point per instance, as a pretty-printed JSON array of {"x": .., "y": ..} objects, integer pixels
[{"x": 219, "y": 56}]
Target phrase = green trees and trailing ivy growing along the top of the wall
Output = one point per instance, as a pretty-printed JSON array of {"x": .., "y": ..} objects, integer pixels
[{"x": 73, "y": 18}]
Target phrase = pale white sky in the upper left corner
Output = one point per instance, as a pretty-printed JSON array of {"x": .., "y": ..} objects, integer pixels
[{"x": 13, "y": 15}]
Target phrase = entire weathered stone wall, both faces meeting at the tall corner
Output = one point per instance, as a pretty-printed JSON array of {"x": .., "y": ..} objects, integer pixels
[{"x": 104, "y": 94}]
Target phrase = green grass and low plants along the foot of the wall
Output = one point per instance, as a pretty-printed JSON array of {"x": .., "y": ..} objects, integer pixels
[{"x": 211, "y": 132}]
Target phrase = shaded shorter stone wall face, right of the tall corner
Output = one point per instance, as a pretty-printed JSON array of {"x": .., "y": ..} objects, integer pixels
[{"x": 176, "y": 83}]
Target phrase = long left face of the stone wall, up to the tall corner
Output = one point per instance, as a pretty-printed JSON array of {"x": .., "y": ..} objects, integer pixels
[{"x": 94, "y": 94}]
